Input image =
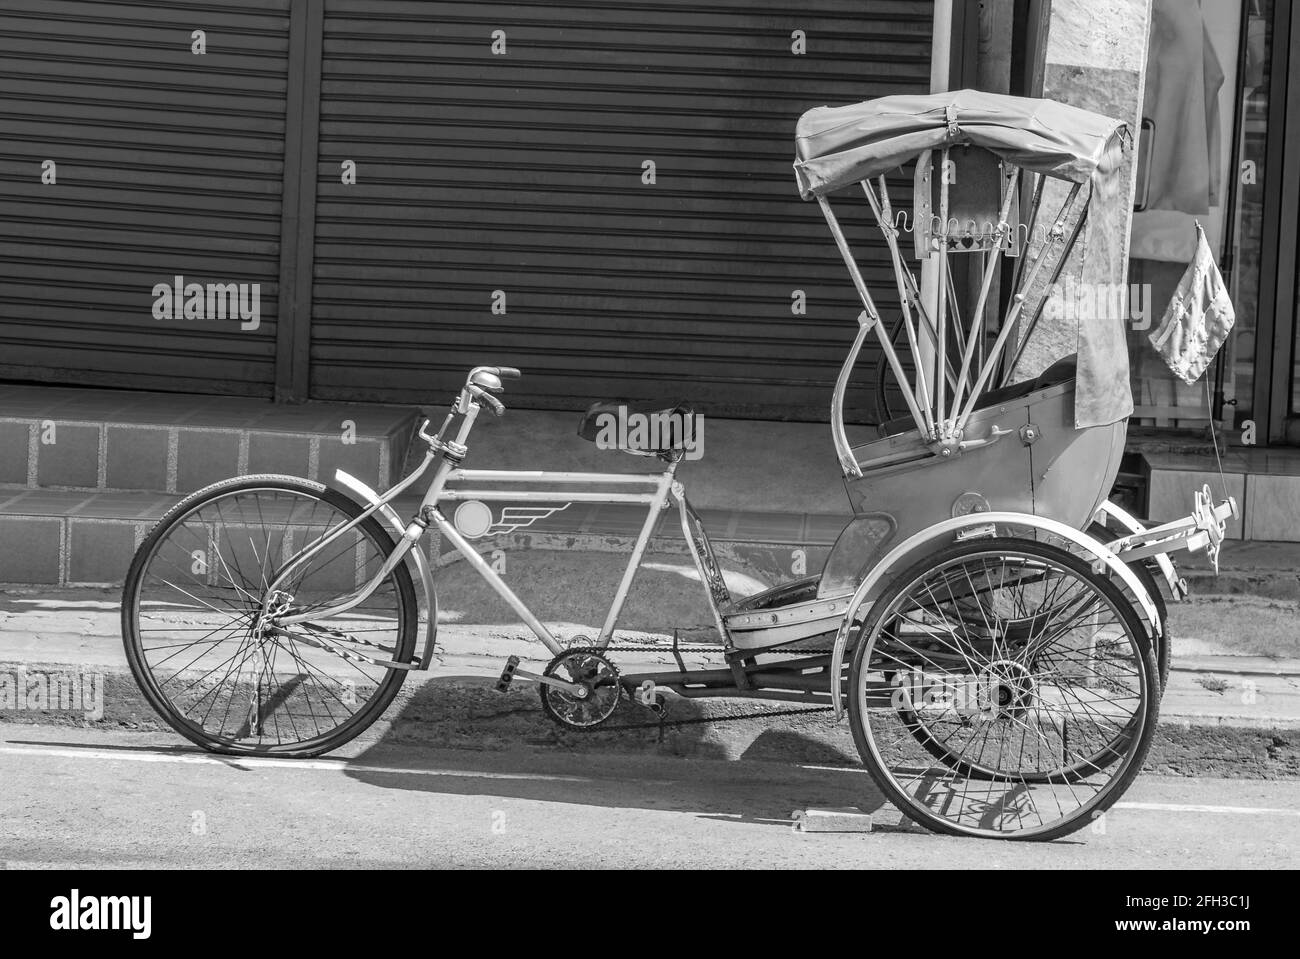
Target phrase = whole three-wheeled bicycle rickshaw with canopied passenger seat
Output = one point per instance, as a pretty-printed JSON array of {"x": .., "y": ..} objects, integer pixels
[{"x": 998, "y": 652}]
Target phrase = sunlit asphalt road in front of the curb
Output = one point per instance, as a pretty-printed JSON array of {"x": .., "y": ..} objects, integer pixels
[{"x": 89, "y": 799}]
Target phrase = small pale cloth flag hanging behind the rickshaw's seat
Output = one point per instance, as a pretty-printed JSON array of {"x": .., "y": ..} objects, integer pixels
[{"x": 1198, "y": 319}]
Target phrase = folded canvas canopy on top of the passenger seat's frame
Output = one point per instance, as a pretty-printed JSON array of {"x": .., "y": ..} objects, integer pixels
[{"x": 839, "y": 146}]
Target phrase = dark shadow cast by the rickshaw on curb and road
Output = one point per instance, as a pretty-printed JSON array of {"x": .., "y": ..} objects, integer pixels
[{"x": 502, "y": 745}]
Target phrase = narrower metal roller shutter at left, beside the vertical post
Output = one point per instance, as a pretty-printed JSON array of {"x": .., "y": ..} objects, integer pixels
[{"x": 168, "y": 163}]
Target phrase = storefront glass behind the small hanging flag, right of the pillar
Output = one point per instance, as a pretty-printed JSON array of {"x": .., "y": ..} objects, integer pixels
[{"x": 1188, "y": 175}]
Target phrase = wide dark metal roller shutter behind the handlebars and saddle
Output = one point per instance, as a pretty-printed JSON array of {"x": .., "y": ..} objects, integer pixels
[{"x": 523, "y": 173}]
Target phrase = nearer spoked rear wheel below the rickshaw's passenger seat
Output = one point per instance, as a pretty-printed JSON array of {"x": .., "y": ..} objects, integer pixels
[{"x": 1026, "y": 674}]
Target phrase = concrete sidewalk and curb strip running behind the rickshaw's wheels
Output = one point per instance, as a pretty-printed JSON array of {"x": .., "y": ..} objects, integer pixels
[{"x": 1227, "y": 711}]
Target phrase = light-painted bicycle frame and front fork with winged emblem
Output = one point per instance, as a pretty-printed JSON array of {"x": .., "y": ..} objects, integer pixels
[{"x": 657, "y": 492}]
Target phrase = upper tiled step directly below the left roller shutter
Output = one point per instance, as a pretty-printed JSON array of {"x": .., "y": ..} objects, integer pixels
[{"x": 54, "y": 439}]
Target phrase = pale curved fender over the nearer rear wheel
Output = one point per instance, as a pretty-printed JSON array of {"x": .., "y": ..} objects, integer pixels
[{"x": 931, "y": 539}]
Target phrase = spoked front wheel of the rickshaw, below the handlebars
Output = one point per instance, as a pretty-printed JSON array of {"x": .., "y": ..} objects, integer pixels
[{"x": 200, "y": 643}]
